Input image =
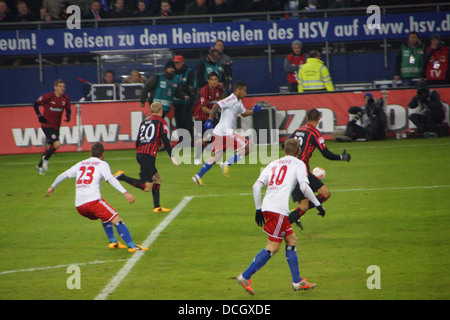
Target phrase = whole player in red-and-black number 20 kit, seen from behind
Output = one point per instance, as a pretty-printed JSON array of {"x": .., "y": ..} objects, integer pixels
[{"x": 152, "y": 131}]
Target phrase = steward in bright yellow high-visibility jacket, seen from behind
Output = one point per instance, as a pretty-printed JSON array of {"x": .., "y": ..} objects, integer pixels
[{"x": 314, "y": 75}]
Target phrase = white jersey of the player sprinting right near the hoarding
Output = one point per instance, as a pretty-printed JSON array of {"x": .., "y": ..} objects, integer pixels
[{"x": 231, "y": 106}]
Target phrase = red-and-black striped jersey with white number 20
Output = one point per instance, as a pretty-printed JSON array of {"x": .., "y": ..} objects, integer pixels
[{"x": 152, "y": 131}]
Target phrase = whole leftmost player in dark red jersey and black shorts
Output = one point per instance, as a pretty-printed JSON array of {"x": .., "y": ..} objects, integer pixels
[{"x": 54, "y": 104}]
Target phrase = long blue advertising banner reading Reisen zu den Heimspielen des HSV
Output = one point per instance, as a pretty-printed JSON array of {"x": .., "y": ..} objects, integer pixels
[{"x": 237, "y": 33}]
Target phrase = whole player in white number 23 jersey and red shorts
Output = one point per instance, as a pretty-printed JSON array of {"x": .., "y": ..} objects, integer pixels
[{"x": 89, "y": 174}]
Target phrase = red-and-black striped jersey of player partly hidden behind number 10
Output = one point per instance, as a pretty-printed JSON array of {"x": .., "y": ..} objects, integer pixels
[{"x": 311, "y": 138}]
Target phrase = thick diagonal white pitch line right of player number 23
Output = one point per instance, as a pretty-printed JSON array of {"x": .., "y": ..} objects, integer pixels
[{"x": 112, "y": 285}]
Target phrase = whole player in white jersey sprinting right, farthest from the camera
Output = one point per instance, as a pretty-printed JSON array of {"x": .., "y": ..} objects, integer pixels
[{"x": 224, "y": 135}]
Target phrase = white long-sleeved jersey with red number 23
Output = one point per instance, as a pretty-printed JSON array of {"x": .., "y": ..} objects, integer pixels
[{"x": 89, "y": 175}]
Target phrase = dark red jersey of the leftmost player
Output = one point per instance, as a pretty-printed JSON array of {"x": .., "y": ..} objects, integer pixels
[{"x": 53, "y": 109}]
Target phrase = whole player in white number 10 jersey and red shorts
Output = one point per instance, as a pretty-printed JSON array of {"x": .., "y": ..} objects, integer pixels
[{"x": 280, "y": 176}]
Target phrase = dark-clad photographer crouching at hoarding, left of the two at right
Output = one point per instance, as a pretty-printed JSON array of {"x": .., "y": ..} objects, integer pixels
[{"x": 369, "y": 122}]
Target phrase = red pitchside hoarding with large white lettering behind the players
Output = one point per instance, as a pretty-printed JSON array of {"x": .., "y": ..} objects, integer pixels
[{"x": 116, "y": 123}]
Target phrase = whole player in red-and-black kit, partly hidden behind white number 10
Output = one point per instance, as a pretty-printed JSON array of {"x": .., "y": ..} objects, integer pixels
[{"x": 310, "y": 138}]
